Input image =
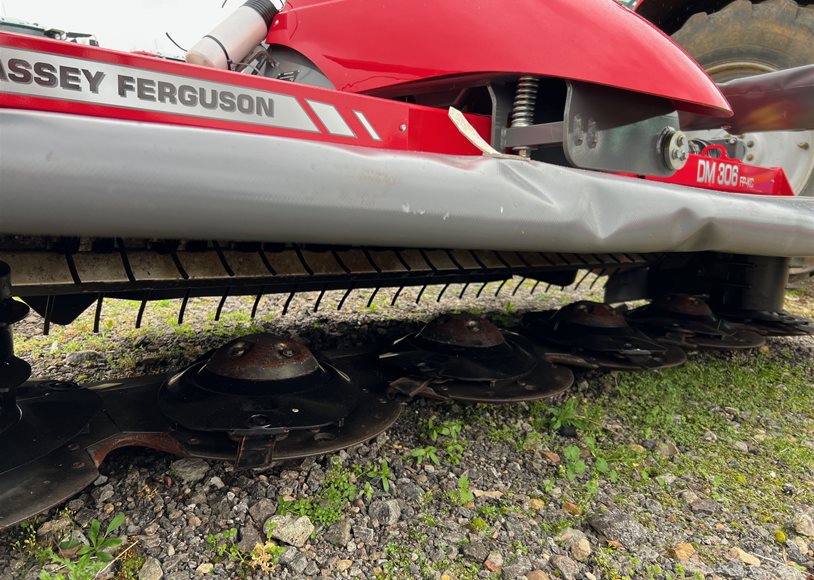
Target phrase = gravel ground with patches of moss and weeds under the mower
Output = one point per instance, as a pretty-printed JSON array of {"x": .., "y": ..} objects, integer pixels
[{"x": 701, "y": 472}]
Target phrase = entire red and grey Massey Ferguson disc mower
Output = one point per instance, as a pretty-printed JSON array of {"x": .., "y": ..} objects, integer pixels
[{"x": 345, "y": 145}]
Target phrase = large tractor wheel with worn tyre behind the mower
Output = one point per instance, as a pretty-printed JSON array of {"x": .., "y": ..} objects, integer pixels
[{"x": 745, "y": 39}]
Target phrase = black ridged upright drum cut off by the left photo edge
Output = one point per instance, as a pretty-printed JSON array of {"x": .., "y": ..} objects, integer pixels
[{"x": 13, "y": 371}]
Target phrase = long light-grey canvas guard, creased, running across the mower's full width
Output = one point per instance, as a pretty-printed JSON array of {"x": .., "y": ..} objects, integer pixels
[{"x": 73, "y": 175}]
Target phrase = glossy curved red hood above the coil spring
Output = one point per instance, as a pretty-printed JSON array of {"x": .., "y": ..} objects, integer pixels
[{"x": 365, "y": 46}]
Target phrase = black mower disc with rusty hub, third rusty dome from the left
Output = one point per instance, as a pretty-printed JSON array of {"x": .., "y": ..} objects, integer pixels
[{"x": 593, "y": 335}]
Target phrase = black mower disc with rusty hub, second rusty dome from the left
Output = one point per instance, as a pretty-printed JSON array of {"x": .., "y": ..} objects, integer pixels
[{"x": 467, "y": 358}]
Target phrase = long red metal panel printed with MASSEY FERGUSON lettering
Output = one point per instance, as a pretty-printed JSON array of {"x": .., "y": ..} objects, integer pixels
[{"x": 398, "y": 126}]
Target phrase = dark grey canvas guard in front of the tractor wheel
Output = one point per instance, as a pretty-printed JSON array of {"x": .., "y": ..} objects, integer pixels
[{"x": 778, "y": 101}]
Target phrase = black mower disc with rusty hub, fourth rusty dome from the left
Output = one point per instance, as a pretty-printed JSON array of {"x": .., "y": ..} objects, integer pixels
[{"x": 688, "y": 322}]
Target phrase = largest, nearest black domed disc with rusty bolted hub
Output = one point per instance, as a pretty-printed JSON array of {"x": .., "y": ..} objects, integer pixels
[{"x": 258, "y": 385}]
